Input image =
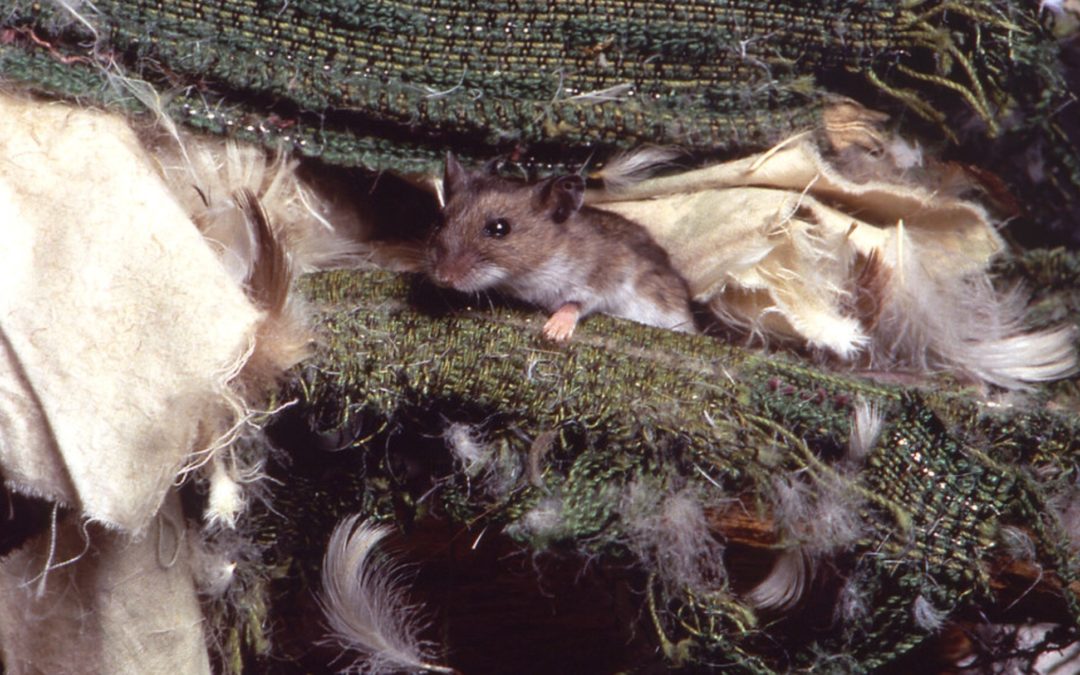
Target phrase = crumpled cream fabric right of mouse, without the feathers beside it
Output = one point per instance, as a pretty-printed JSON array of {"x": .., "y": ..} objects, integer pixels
[{"x": 773, "y": 240}]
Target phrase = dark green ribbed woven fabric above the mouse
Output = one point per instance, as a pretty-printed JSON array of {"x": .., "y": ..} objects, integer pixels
[{"x": 388, "y": 85}]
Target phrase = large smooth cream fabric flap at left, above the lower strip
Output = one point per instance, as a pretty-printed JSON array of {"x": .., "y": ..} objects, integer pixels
[{"x": 118, "y": 325}]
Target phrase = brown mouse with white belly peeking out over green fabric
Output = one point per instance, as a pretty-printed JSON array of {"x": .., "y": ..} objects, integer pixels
[{"x": 539, "y": 244}]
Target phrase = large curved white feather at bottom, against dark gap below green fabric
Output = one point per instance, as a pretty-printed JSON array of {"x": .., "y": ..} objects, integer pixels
[{"x": 364, "y": 604}]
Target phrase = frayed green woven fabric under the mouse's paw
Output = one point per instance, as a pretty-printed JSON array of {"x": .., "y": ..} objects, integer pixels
[{"x": 631, "y": 406}]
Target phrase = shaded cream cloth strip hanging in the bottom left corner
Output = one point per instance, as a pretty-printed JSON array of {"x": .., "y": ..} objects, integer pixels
[{"x": 126, "y": 605}]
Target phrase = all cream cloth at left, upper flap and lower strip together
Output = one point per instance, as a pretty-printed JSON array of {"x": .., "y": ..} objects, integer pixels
[{"x": 119, "y": 332}]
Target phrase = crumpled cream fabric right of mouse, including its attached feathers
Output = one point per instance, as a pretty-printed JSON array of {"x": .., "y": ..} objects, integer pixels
[{"x": 885, "y": 274}]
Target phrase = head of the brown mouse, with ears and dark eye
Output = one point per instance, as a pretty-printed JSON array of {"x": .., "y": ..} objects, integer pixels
[{"x": 494, "y": 229}]
